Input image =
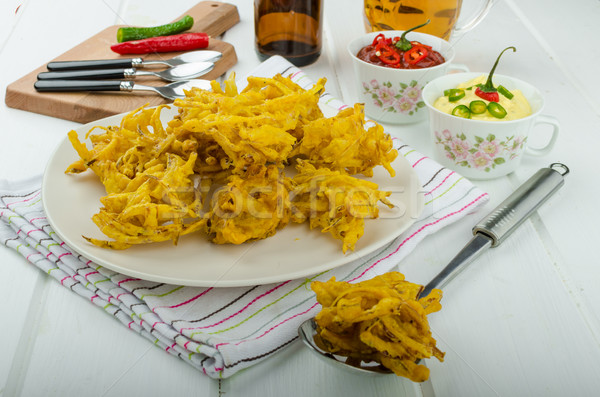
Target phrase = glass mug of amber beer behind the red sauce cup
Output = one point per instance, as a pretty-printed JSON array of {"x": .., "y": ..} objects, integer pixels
[{"x": 405, "y": 14}]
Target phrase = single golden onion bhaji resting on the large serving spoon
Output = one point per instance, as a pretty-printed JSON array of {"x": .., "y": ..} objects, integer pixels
[{"x": 381, "y": 320}]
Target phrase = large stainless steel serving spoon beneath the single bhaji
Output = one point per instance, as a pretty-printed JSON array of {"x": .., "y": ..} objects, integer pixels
[{"x": 489, "y": 232}]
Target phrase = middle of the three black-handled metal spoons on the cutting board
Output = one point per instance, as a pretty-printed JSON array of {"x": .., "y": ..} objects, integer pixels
[{"x": 186, "y": 71}]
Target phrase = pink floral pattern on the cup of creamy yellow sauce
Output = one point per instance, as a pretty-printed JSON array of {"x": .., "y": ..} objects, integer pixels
[{"x": 484, "y": 154}]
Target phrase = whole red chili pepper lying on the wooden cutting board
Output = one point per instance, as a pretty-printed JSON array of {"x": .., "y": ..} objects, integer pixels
[{"x": 178, "y": 42}]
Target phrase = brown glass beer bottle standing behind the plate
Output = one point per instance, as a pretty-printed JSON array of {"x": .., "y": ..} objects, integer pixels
[{"x": 290, "y": 28}]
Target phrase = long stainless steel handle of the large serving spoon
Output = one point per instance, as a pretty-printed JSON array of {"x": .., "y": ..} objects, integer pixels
[{"x": 492, "y": 230}]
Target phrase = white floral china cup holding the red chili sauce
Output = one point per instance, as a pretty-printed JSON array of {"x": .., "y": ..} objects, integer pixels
[{"x": 394, "y": 95}]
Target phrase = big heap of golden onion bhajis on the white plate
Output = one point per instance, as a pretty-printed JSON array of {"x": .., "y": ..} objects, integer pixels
[{"x": 218, "y": 166}]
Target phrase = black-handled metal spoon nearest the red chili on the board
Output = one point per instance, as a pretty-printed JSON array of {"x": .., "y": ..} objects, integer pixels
[{"x": 188, "y": 57}]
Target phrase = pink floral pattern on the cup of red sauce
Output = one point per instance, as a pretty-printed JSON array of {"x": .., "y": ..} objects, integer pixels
[{"x": 406, "y": 99}]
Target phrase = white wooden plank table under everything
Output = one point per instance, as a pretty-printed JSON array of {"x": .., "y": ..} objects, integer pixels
[{"x": 524, "y": 320}]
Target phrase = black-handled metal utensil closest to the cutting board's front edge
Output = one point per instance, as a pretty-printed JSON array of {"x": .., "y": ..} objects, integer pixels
[{"x": 170, "y": 91}]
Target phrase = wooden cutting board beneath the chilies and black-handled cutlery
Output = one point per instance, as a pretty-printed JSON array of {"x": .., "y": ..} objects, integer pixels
[{"x": 213, "y": 18}]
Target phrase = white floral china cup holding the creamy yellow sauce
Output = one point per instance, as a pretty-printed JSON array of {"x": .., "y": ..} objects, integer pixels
[{"x": 481, "y": 149}]
